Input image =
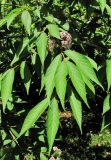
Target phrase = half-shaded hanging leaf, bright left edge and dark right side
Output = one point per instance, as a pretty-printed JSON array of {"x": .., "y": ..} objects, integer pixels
[{"x": 25, "y": 75}]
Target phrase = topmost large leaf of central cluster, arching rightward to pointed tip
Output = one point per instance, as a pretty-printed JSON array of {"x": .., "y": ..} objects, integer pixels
[{"x": 84, "y": 65}]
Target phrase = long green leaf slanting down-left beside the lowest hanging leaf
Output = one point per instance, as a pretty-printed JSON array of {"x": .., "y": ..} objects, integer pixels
[{"x": 33, "y": 116}]
